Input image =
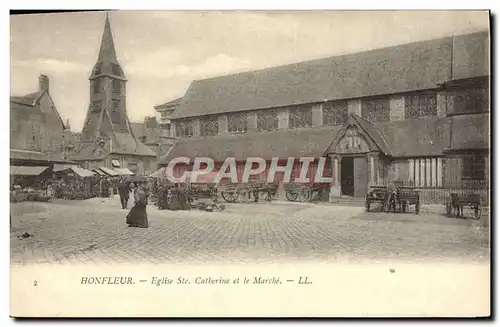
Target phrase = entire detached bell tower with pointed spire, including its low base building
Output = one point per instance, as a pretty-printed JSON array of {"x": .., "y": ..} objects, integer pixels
[{"x": 107, "y": 138}]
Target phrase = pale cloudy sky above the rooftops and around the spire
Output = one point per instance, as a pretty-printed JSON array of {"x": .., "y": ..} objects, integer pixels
[{"x": 162, "y": 52}]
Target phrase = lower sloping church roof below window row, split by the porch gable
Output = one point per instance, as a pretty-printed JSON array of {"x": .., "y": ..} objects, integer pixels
[{"x": 404, "y": 138}]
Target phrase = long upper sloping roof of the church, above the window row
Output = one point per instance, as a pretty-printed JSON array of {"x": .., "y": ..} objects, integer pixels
[{"x": 397, "y": 69}]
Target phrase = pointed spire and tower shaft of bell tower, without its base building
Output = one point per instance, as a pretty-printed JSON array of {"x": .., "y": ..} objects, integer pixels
[{"x": 107, "y": 112}]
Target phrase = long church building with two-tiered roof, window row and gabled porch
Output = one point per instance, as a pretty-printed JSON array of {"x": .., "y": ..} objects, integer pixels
[{"x": 416, "y": 113}]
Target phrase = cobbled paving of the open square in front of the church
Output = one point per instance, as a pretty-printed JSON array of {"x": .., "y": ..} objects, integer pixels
[{"x": 94, "y": 231}]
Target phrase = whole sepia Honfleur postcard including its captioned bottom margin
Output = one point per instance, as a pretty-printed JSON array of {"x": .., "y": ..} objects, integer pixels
[{"x": 250, "y": 164}]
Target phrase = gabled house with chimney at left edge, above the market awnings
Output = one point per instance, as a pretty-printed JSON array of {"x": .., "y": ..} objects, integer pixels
[{"x": 37, "y": 132}]
